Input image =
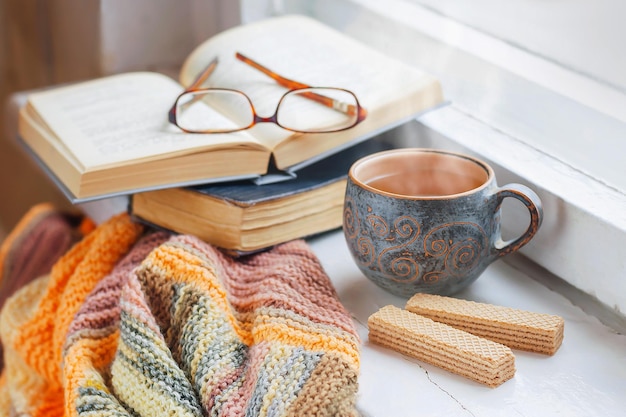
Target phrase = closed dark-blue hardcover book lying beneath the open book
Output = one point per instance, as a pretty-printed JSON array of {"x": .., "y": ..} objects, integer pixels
[{"x": 243, "y": 217}]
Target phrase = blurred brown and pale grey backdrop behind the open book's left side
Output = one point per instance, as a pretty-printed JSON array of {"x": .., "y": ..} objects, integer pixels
[{"x": 50, "y": 42}]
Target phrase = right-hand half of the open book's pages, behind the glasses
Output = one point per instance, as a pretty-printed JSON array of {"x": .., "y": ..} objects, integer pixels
[{"x": 302, "y": 49}]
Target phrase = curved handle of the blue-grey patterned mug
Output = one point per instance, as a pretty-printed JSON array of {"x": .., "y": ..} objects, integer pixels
[{"x": 532, "y": 202}]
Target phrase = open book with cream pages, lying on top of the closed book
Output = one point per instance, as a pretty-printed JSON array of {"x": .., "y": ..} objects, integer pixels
[{"x": 111, "y": 136}]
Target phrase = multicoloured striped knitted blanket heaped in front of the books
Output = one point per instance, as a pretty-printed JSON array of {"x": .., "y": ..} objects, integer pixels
[{"x": 140, "y": 323}]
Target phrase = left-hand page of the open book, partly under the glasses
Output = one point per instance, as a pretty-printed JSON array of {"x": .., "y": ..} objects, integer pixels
[{"x": 122, "y": 118}]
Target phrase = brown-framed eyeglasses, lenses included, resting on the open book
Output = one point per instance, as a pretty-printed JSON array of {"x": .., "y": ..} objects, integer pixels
[{"x": 303, "y": 108}]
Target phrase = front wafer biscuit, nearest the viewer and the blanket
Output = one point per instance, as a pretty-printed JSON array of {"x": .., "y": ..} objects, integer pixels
[{"x": 441, "y": 345}]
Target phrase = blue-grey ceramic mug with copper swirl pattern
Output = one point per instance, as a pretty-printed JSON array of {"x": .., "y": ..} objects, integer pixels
[{"x": 426, "y": 220}]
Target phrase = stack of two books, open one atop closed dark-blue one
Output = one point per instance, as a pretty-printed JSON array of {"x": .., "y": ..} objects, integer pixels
[{"x": 242, "y": 191}]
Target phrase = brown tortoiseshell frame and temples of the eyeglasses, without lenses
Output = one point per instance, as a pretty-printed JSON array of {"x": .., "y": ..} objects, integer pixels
[{"x": 361, "y": 112}]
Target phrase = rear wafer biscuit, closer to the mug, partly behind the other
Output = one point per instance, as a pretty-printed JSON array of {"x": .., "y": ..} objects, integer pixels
[{"x": 518, "y": 329}]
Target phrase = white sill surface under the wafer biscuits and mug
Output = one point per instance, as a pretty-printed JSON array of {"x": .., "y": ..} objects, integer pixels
[{"x": 584, "y": 378}]
